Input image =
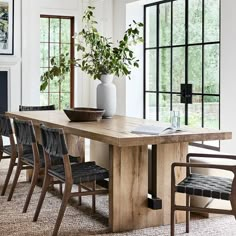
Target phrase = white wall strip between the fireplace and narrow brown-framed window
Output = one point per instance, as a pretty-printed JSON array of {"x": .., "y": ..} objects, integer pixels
[{"x": 30, "y": 52}]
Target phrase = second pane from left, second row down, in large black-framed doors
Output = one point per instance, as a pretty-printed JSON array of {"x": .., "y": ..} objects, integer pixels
[{"x": 164, "y": 70}]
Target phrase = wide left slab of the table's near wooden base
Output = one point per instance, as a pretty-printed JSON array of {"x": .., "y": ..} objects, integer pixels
[{"x": 128, "y": 189}]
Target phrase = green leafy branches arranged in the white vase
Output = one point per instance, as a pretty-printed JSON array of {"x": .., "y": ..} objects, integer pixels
[{"x": 97, "y": 54}]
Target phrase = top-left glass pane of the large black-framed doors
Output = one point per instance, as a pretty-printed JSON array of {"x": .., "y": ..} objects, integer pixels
[{"x": 151, "y": 29}]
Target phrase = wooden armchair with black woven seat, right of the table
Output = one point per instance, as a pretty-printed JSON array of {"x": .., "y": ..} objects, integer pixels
[{"x": 203, "y": 185}]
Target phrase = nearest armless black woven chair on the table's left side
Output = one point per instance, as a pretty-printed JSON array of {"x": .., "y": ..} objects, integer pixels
[{"x": 54, "y": 147}]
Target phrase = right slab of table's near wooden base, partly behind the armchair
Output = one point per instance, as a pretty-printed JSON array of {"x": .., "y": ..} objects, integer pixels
[{"x": 166, "y": 154}]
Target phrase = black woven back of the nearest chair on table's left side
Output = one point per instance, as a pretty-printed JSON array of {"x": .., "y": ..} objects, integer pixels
[{"x": 53, "y": 141}]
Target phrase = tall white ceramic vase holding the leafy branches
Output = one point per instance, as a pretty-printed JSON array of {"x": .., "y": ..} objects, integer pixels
[{"x": 106, "y": 96}]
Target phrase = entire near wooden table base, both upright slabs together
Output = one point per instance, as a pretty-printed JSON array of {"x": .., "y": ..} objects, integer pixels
[{"x": 128, "y": 186}]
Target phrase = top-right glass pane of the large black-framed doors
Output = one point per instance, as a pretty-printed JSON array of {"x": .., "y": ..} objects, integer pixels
[{"x": 211, "y": 20}]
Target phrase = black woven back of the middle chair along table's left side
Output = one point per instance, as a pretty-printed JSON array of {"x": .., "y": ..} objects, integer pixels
[{"x": 24, "y": 132}]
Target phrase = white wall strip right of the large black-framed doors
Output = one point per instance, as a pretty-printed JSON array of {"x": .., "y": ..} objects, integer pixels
[{"x": 228, "y": 72}]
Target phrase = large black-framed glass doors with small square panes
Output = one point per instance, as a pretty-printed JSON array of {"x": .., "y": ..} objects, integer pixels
[{"x": 182, "y": 62}]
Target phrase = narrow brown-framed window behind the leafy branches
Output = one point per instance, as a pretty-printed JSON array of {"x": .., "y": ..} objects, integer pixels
[{"x": 56, "y": 37}]
